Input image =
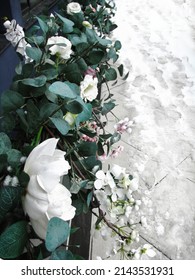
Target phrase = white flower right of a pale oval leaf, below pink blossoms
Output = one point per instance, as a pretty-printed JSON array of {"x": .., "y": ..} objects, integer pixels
[{"x": 88, "y": 88}]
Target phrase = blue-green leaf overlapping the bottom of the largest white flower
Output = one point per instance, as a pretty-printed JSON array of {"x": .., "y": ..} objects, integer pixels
[{"x": 57, "y": 232}]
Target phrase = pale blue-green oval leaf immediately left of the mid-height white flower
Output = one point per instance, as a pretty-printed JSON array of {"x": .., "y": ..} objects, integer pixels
[{"x": 62, "y": 89}]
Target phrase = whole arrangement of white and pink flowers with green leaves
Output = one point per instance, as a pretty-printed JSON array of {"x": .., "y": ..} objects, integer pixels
[{"x": 52, "y": 128}]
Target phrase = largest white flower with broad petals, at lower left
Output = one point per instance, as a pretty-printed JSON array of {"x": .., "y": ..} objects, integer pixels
[{"x": 45, "y": 196}]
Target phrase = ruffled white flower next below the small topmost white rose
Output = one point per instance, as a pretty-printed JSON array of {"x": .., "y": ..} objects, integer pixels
[{"x": 60, "y": 45}]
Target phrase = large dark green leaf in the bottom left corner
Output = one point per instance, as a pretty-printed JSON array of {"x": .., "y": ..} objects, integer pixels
[{"x": 13, "y": 240}]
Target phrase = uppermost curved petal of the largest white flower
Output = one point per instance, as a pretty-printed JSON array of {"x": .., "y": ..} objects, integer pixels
[{"x": 47, "y": 147}]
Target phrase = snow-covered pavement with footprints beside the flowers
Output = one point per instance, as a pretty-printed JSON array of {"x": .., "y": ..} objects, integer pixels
[{"x": 158, "y": 39}]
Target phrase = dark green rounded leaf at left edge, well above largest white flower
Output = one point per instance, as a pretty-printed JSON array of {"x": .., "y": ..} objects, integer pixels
[{"x": 11, "y": 100}]
